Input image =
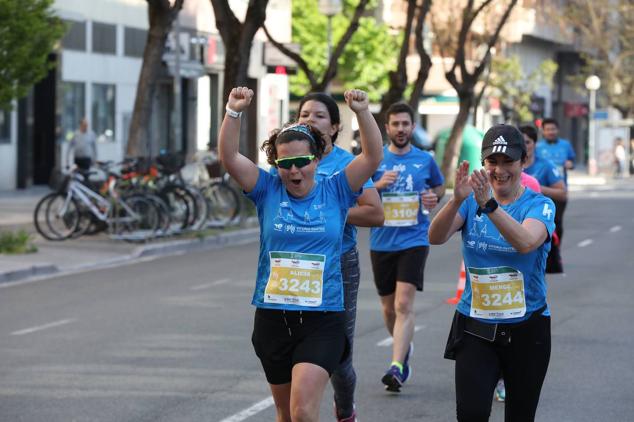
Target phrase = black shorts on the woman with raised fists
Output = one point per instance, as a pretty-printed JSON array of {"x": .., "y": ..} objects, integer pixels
[{"x": 282, "y": 339}]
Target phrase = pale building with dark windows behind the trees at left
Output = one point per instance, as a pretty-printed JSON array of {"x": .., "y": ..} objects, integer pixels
[{"x": 96, "y": 73}]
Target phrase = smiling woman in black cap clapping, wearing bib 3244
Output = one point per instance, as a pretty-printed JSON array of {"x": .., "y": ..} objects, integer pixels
[{"x": 502, "y": 322}]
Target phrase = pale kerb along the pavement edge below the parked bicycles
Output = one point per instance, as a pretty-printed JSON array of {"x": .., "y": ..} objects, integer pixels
[{"x": 235, "y": 238}]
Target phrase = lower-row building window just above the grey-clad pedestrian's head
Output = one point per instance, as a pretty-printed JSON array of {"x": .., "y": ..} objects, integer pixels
[{"x": 71, "y": 108}]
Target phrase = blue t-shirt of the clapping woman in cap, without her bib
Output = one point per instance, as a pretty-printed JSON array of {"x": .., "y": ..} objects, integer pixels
[{"x": 483, "y": 247}]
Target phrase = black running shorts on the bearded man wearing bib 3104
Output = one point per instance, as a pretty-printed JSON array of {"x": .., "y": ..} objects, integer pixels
[{"x": 407, "y": 265}]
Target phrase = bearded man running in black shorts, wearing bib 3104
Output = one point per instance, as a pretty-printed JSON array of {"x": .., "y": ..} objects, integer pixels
[{"x": 410, "y": 184}]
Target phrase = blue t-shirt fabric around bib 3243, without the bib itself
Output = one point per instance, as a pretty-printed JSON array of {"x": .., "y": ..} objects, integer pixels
[{"x": 309, "y": 225}]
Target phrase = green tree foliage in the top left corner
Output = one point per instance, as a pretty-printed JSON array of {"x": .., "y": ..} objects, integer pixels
[{"x": 28, "y": 33}]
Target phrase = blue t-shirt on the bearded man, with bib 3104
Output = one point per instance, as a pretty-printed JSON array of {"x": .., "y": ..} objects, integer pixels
[{"x": 417, "y": 172}]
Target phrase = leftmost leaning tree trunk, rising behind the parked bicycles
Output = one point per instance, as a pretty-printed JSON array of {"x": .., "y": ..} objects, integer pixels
[{"x": 160, "y": 15}]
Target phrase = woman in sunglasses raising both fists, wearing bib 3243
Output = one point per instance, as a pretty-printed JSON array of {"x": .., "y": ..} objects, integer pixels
[{"x": 299, "y": 328}]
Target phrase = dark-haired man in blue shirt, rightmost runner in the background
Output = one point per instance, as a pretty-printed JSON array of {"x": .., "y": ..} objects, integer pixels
[{"x": 560, "y": 152}]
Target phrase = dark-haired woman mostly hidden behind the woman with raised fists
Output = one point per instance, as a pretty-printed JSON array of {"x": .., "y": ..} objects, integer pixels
[{"x": 321, "y": 112}]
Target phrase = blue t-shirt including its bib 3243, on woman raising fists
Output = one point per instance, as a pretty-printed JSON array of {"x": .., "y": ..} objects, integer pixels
[{"x": 303, "y": 235}]
